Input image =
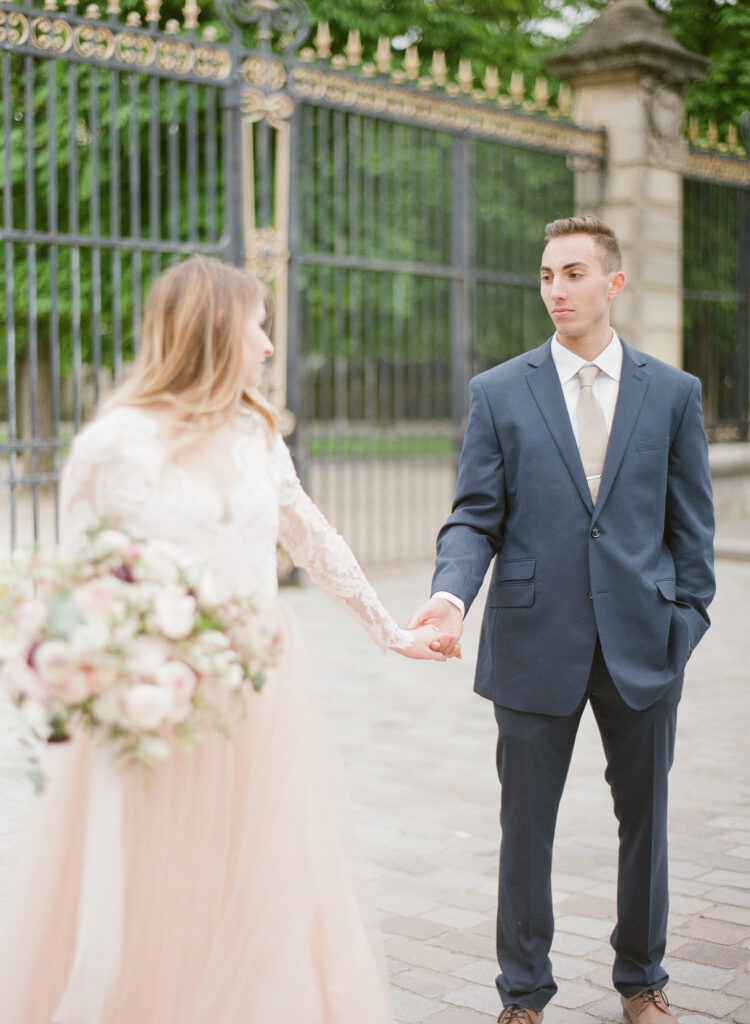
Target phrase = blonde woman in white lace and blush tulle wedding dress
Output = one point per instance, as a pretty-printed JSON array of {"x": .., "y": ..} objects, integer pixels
[{"x": 219, "y": 893}]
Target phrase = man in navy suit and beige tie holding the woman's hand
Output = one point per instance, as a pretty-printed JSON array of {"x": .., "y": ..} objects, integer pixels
[{"x": 585, "y": 476}]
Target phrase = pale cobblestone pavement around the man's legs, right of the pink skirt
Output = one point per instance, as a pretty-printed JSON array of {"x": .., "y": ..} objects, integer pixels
[{"x": 419, "y": 749}]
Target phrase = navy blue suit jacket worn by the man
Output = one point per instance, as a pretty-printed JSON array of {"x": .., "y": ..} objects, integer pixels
[{"x": 637, "y": 571}]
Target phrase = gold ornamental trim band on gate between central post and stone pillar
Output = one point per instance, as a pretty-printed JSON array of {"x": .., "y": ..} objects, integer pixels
[{"x": 367, "y": 97}]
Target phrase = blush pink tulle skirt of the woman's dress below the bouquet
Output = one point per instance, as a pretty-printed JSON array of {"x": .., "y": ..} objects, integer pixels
[{"x": 239, "y": 906}]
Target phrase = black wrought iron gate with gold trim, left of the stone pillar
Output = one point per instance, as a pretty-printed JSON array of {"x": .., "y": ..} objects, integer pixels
[{"x": 397, "y": 214}]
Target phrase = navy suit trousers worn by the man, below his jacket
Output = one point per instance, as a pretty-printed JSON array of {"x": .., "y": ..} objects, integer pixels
[{"x": 533, "y": 757}]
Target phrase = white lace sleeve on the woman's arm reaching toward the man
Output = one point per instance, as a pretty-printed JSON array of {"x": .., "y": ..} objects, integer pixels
[{"x": 314, "y": 545}]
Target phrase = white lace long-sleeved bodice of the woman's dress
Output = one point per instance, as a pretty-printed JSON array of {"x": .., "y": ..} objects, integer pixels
[{"x": 120, "y": 472}]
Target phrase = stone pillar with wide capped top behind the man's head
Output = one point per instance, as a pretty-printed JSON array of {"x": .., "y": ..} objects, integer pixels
[{"x": 630, "y": 76}]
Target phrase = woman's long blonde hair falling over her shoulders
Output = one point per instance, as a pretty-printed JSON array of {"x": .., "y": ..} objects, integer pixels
[{"x": 191, "y": 355}]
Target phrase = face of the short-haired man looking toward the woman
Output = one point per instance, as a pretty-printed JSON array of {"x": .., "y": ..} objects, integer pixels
[{"x": 576, "y": 288}]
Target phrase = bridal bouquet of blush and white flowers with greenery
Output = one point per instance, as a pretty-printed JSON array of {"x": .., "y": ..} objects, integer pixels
[{"x": 129, "y": 643}]
